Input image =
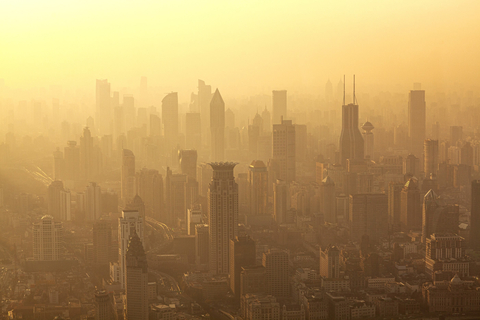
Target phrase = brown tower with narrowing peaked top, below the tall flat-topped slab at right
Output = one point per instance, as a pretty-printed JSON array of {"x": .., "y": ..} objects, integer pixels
[{"x": 411, "y": 206}]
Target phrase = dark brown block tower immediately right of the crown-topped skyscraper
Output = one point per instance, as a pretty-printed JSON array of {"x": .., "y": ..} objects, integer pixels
[{"x": 242, "y": 254}]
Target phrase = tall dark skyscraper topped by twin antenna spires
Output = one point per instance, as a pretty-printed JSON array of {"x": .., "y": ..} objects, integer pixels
[{"x": 351, "y": 140}]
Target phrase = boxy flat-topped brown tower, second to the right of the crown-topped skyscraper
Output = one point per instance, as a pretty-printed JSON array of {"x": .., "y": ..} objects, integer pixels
[{"x": 275, "y": 262}]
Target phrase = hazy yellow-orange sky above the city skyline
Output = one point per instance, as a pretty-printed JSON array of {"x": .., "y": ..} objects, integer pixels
[{"x": 239, "y": 45}]
